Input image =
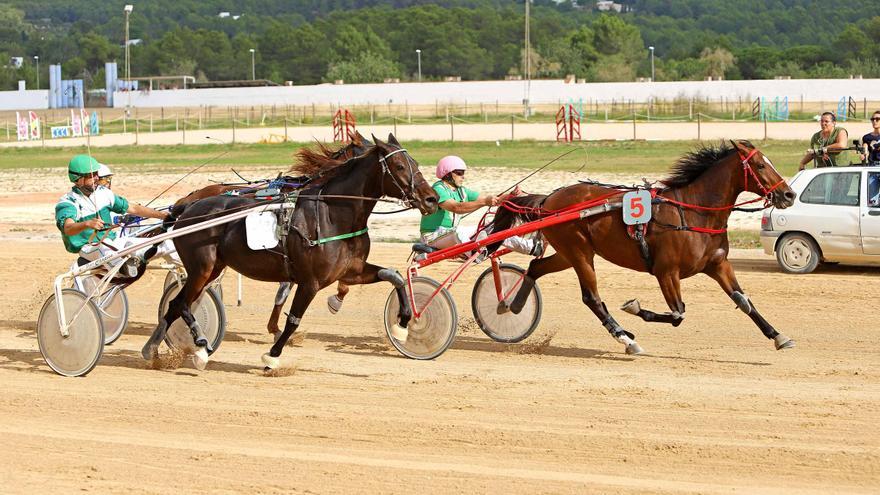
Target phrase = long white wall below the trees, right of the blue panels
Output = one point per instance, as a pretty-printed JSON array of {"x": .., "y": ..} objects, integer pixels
[{"x": 503, "y": 92}]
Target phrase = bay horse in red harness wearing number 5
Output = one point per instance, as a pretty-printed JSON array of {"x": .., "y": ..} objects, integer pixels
[{"x": 686, "y": 235}]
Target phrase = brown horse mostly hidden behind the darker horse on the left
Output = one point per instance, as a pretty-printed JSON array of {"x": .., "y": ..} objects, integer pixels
[{"x": 310, "y": 164}]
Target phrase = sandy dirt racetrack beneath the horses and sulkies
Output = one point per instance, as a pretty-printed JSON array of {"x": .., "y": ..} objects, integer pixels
[{"x": 711, "y": 407}]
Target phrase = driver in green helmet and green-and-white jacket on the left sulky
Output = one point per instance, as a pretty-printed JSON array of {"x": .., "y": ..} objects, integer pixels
[{"x": 86, "y": 208}]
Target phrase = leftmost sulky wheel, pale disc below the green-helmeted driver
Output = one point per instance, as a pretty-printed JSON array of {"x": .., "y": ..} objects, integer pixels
[{"x": 79, "y": 352}]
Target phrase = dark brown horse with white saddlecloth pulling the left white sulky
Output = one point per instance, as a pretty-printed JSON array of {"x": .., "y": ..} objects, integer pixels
[{"x": 335, "y": 206}]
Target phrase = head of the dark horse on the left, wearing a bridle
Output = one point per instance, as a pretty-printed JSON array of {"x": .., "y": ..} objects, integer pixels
[{"x": 401, "y": 177}]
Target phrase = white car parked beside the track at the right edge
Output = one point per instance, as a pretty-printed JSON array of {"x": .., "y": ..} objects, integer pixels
[{"x": 835, "y": 218}]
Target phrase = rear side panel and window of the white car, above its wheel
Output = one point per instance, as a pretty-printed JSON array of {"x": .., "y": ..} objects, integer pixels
[{"x": 829, "y": 211}]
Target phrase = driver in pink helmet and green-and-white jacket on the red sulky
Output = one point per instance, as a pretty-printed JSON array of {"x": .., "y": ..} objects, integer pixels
[{"x": 441, "y": 229}]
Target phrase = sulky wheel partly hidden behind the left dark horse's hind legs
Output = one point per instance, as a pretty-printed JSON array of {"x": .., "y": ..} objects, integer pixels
[{"x": 208, "y": 311}]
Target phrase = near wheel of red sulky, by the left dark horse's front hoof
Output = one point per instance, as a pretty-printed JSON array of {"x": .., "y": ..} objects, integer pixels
[{"x": 434, "y": 331}]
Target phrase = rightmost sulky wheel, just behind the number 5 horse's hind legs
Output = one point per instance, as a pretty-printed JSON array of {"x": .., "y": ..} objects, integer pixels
[{"x": 506, "y": 327}]
